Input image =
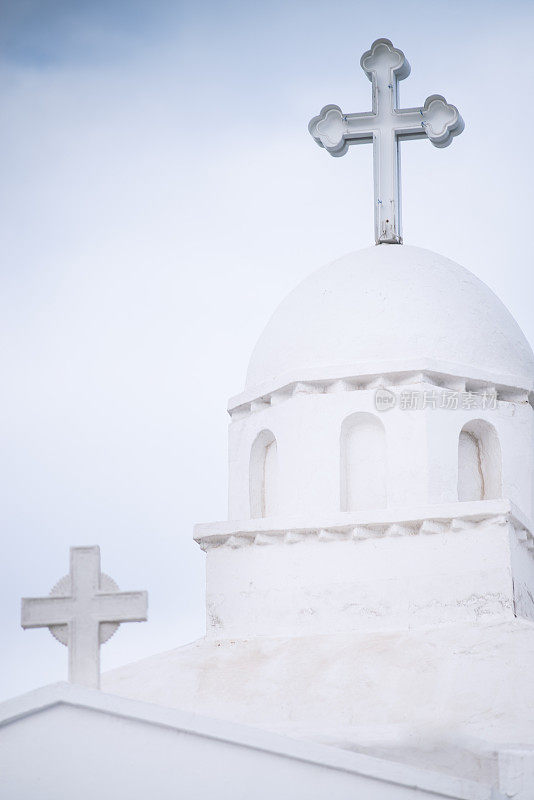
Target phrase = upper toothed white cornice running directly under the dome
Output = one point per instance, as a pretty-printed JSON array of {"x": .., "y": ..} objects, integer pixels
[{"x": 248, "y": 403}]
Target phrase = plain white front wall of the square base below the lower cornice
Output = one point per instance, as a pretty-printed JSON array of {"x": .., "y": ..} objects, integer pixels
[{"x": 383, "y": 583}]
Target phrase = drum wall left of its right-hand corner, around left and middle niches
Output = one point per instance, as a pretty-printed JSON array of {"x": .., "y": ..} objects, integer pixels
[{"x": 308, "y": 430}]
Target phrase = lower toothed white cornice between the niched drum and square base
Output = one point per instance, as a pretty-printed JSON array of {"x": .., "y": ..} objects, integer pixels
[{"x": 345, "y": 527}]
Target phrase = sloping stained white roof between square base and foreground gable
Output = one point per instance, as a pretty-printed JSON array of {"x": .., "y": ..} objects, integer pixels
[{"x": 445, "y": 697}]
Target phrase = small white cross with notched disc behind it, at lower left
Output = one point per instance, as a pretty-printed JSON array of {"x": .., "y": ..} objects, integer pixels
[{"x": 83, "y": 611}]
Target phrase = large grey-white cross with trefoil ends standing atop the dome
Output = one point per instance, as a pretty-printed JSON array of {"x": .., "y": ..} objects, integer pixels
[{"x": 385, "y": 126}]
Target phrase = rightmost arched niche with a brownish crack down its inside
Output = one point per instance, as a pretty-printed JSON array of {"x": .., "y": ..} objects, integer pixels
[{"x": 479, "y": 462}]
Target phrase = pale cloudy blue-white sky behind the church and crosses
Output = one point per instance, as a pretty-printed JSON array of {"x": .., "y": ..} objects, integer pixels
[{"x": 159, "y": 196}]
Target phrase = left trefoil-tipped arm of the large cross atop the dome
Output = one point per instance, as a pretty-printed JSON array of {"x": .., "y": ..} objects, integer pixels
[{"x": 335, "y": 131}]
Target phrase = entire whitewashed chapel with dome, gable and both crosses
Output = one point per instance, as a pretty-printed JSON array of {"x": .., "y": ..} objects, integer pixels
[{"x": 370, "y": 600}]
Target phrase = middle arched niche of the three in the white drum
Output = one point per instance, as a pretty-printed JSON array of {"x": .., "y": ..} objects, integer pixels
[{"x": 363, "y": 463}]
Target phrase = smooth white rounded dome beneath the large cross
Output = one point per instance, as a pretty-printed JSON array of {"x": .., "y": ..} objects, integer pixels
[{"x": 390, "y": 308}]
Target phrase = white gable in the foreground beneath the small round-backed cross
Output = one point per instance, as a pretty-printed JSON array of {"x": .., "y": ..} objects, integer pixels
[{"x": 102, "y": 741}]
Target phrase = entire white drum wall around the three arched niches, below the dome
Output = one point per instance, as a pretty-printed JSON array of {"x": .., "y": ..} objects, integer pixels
[{"x": 421, "y": 451}]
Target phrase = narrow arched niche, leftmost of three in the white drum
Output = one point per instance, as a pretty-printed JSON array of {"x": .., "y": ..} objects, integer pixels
[{"x": 263, "y": 475}]
